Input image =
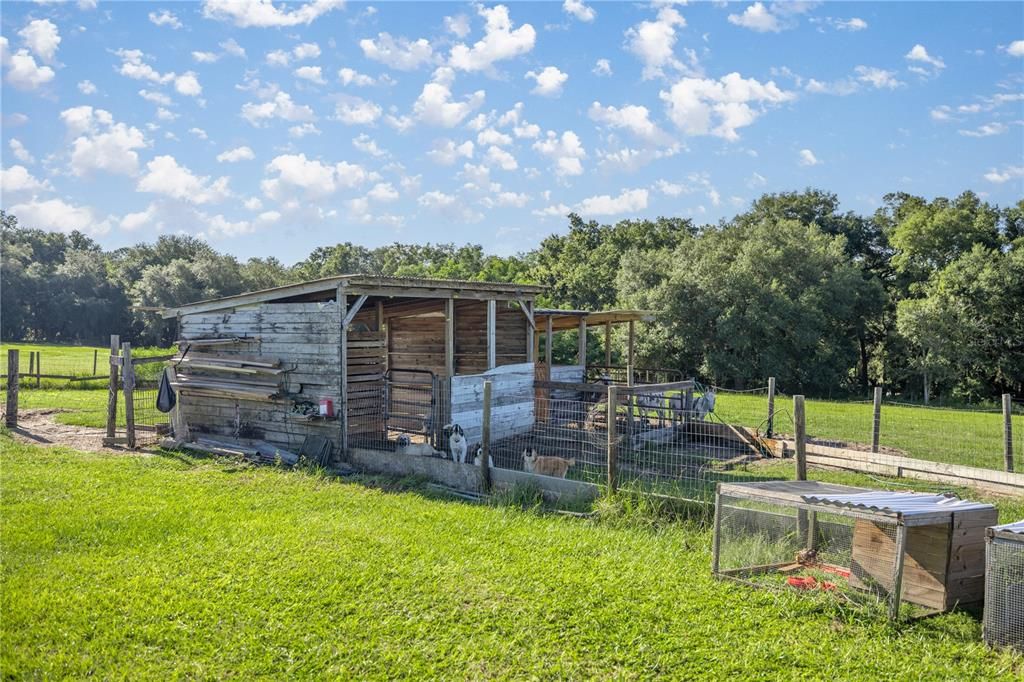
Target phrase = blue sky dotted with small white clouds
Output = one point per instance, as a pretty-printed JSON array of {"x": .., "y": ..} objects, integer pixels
[{"x": 271, "y": 130}]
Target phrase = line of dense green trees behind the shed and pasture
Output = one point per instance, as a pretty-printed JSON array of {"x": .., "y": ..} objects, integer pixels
[{"x": 925, "y": 297}]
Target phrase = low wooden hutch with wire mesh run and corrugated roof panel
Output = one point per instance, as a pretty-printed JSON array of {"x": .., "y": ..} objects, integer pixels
[{"x": 868, "y": 546}]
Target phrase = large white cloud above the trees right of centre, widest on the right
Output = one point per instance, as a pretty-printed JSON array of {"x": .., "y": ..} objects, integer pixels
[{"x": 696, "y": 104}]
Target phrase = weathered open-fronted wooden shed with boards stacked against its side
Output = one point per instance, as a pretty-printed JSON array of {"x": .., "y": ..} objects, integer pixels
[{"x": 392, "y": 355}]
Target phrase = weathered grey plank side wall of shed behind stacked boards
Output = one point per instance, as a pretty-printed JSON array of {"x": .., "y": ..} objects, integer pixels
[{"x": 305, "y": 337}]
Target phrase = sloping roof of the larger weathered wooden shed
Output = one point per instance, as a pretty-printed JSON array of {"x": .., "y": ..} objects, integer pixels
[{"x": 369, "y": 285}]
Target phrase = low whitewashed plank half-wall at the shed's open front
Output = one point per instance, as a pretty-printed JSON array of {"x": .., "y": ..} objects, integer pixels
[{"x": 513, "y": 409}]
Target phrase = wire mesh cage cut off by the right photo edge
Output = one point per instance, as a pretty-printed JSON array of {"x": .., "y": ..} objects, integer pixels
[{"x": 1004, "y": 620}]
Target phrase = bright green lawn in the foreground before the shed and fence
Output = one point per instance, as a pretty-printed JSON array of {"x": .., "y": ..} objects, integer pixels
[{"x": 156, "y": 567}]
